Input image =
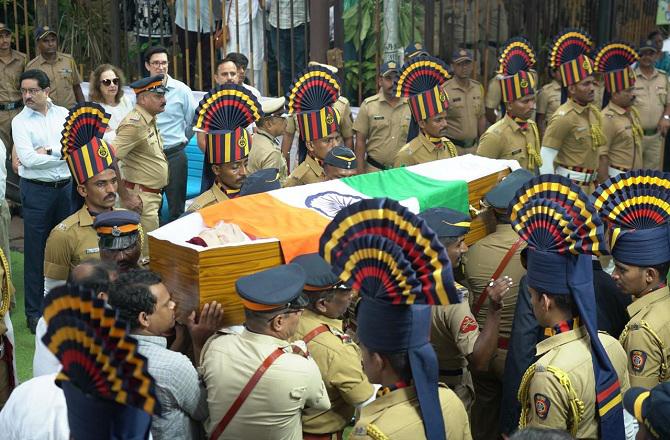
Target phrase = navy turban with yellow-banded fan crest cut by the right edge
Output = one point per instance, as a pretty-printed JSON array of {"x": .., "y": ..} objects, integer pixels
[{"x": 636, "y": 205}]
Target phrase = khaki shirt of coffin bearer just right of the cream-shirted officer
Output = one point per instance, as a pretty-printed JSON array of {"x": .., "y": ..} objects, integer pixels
[{"x": 339, "y": 360}]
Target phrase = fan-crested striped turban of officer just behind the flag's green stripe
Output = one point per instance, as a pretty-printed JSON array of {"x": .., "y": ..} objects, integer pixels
[{"x": 421, "y": 80}]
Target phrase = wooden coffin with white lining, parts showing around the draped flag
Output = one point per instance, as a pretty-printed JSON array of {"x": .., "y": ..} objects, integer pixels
[{"x": 196, "y": 275}]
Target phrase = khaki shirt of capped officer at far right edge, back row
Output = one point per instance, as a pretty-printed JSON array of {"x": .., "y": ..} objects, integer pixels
[{"x": 651, "y": 96}]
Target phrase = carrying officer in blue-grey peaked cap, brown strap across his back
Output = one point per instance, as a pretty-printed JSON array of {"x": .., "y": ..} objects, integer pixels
[{"x": 257, "y": 383}]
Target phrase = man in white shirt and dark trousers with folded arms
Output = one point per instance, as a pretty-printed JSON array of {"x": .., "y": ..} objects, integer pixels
[{"x": 45, "y": 180}]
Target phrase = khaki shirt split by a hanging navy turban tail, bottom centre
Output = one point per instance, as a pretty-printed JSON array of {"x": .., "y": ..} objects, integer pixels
[{"x": 396, "y": 416}]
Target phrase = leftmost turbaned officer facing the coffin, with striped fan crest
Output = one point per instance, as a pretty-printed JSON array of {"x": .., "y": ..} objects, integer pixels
[{"x": 91, "y": 164}]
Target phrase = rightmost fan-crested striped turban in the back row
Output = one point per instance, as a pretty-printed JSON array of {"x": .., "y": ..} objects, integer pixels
[{"x": 614, "y": 60}]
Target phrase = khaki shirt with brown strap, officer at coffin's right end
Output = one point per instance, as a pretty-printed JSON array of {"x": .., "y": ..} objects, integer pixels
[{"x": 479, "y": 263}]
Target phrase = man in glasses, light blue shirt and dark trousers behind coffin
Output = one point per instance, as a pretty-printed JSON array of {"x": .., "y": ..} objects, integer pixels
[{"x": 176, "y": 128}]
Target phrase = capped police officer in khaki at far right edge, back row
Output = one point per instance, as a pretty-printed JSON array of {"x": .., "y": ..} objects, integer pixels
[{"x": 652, "y": 100}]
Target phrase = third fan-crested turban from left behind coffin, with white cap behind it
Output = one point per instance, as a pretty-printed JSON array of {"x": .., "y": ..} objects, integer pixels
[{"x": 311, "y": 98}]
